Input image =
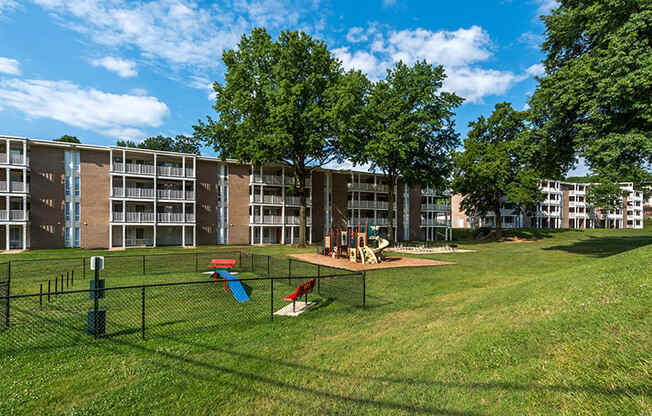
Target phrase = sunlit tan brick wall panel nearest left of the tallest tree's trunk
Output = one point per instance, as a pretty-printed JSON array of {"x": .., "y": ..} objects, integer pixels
[{"x": 238, "y": 204}]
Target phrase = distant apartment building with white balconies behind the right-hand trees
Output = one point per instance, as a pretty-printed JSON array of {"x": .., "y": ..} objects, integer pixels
[{"x": 563, "y": 206}]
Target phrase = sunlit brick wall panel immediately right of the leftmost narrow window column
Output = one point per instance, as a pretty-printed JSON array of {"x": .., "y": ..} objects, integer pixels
[{"x": 94, "y": 198}]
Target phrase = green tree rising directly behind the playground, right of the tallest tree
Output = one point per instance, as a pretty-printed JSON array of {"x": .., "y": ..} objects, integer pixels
[{"x": 405, "y": 129}]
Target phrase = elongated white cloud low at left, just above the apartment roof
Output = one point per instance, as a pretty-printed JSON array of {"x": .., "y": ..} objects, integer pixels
[{"x": 87, "y": 108}]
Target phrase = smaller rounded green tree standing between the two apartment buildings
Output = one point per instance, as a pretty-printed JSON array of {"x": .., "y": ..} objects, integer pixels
[{"x": 496, "y": 164}]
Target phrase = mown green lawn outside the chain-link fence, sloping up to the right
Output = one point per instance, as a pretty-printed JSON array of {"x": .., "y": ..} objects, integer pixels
[{"x": 556, "y": 326}]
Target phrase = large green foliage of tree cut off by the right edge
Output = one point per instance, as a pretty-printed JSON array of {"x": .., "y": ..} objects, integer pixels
[{"x": 595, "y": 99}]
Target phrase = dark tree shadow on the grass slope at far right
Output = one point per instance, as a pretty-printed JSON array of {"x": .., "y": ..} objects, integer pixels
[{"x": 602, "y": 246}]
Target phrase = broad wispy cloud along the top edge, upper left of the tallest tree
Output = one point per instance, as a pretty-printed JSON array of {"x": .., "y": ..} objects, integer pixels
[{"x": 174, "y": 31}]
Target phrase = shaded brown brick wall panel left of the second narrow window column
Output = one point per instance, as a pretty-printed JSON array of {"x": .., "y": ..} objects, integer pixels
[{"x": 207, "y": 202}]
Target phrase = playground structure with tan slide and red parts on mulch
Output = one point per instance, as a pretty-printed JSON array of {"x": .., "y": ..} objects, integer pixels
[{"x": 353, "y": 244}]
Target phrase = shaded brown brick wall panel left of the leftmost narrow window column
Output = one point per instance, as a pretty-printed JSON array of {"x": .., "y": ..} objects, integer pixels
[{"x": 47, "y": 197}]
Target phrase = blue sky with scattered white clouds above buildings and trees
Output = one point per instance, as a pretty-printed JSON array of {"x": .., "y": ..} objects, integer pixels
[{"x": 118, "y": 69}]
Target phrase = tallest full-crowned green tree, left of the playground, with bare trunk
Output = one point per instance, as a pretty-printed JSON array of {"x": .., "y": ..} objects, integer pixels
[{"x": 283, "y": 101}]
